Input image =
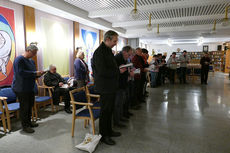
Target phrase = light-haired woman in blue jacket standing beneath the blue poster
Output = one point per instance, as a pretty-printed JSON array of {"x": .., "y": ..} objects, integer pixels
[{"x": 81, "y": 72}]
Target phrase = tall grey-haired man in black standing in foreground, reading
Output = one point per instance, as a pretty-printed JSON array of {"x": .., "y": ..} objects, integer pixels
[{"x": 106, "y": 75}]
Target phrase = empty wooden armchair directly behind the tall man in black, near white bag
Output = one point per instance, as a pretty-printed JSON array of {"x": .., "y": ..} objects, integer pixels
[{"x": 78, "y": 100}]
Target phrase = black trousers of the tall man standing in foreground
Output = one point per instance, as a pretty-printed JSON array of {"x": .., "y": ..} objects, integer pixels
[{"x": 107, "y": 105}]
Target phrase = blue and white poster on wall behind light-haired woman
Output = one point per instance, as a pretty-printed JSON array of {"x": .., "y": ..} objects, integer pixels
[{"x": 89, "y": 45}]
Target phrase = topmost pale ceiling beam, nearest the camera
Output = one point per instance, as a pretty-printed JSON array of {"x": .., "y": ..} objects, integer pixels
[{"x": 154, "y": 7}]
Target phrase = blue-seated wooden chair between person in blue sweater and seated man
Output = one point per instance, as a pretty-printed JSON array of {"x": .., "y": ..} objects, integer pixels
[{"x": 42, "y": 100}]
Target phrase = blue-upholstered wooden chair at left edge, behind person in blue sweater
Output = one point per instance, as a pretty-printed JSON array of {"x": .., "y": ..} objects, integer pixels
[{"x": 11, "y": 107}]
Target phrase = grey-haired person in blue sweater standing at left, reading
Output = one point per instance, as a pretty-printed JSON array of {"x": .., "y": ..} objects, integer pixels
[{"x": 24, "y": 85}]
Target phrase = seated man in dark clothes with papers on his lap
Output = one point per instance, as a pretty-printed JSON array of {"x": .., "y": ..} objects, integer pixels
[{"x": 52, "y": 78}]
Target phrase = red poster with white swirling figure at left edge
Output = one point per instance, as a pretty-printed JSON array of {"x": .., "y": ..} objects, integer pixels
[{"x": 7, "y": 45}]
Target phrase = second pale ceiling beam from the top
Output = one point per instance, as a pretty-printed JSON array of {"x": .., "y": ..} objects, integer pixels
[{"x": 168, "y": 20}]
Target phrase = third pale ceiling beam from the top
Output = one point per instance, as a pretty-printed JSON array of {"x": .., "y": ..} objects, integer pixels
[{"x": 142, "y": 32}]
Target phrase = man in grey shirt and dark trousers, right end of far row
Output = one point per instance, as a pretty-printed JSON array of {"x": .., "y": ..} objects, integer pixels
[{"x": 184, "y": 60}]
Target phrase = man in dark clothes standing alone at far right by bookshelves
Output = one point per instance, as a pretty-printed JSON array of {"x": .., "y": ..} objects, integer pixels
[{"x": 205, "y": 61}]
